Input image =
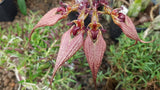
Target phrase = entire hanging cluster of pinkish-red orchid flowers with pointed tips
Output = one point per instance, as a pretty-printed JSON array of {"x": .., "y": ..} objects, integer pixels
[{"x": 93, "y": 45}]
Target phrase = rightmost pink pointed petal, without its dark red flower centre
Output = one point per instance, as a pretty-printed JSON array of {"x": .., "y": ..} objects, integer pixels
[{"x": 129, "y": 30}]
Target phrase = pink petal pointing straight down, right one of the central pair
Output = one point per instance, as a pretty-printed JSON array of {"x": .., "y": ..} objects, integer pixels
[{"x": 94, "y": 52}]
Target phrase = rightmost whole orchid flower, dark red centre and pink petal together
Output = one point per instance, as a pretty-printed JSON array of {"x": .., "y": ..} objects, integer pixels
[{"x": 126, "y": 24}]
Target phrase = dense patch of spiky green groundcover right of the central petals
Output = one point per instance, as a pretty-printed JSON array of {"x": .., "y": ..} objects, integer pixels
[{"x": 136, "y": 67}]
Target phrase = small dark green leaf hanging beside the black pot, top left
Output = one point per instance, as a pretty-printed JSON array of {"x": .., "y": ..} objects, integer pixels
[{"x": 22, "y": 6}]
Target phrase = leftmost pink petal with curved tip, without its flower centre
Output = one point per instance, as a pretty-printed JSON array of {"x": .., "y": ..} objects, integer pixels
[{"x": 49, "y": 19}]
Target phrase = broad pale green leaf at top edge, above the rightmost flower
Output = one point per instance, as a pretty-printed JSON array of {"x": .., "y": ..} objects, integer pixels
[{"x": 135, "y": 8}]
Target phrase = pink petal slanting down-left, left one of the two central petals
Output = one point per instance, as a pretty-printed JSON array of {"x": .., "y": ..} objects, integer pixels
[{"x": 69, "y": 46}]
